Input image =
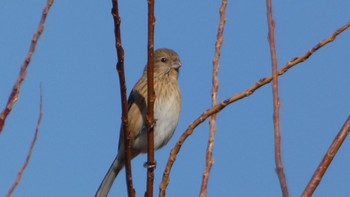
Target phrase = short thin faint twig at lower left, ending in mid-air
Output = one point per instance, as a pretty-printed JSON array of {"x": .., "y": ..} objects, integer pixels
[{"x": 26, "y": 162}]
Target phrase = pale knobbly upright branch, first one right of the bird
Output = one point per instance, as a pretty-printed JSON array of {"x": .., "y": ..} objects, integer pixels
[{"x": 215, "y": 81}]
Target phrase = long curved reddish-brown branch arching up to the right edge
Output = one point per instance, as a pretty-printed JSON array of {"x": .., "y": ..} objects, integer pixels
[{"x": 217, "y": 108}]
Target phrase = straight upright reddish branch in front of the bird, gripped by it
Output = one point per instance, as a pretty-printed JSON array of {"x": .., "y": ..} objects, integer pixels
[{"x": 150, "y": 100}]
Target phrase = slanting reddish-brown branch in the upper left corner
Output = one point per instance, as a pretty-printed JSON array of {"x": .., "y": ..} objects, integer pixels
[{"x": 17, "y": 86}]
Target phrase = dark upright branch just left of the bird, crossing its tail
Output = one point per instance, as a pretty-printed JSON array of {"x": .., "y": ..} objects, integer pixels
[{"x": 124, "y": 102}]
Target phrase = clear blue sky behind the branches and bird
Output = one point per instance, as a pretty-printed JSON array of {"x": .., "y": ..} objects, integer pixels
[{"x": 75, "y": 63}]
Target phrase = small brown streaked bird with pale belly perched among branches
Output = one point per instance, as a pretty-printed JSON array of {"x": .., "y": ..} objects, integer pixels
[{"x": 167, "y": 108}]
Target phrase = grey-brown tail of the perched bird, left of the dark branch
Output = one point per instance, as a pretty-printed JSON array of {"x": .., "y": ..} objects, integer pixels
[{"x": 109, "y": 178}]
